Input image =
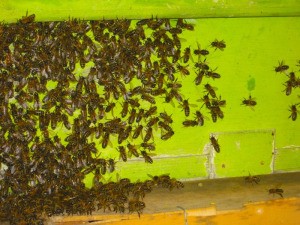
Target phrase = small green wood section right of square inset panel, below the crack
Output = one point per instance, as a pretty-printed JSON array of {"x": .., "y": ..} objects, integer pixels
[{"x": 287, "y": 159}]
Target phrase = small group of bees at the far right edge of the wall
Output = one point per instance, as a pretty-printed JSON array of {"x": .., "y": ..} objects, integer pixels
[{"x": 293, "y": 82}]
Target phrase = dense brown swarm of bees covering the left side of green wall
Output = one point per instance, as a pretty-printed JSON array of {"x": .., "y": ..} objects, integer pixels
[{"x": 128, "y": 67}]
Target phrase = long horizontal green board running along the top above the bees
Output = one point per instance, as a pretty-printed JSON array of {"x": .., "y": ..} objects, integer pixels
[{"x": 49, "y": 10}]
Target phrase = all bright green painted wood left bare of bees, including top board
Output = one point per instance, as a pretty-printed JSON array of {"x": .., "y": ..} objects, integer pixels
[{"x": 251, "y": 140}]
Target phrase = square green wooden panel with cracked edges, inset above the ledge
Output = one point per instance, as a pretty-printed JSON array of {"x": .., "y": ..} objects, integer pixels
[{"x": 243, "y": 153}]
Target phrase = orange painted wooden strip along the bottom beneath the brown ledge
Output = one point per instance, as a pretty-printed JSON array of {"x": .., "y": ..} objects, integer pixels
[{"x": 275, "y": 212}]
